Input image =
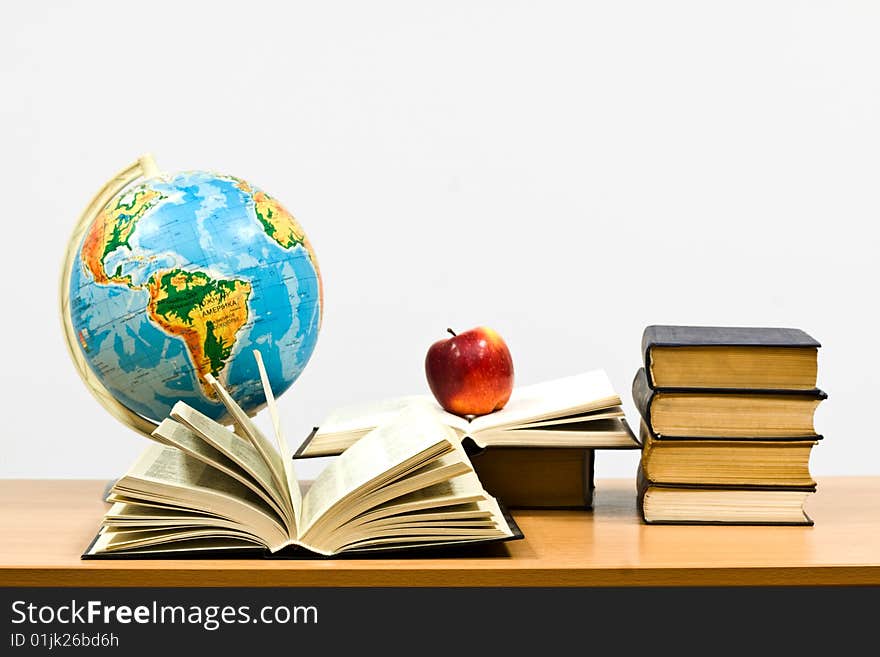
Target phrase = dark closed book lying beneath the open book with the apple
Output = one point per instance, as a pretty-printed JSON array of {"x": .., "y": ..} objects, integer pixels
[{"x": 535, "y": 477}]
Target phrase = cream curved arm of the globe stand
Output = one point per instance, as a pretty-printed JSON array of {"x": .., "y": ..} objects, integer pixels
[{"x": 144, "y": 167}]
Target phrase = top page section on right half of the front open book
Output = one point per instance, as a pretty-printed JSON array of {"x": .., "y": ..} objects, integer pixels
[{"x": 414, "y": 438}]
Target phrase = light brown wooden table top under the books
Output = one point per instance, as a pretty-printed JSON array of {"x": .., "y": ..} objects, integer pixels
[{"x": 46, "y": 524}]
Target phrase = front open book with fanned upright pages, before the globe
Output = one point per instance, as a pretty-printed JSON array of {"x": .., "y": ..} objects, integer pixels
[{"x": 203, "y": 488}]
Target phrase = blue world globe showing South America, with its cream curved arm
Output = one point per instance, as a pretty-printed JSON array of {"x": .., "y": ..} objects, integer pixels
[{"x": 174, "y": 279}]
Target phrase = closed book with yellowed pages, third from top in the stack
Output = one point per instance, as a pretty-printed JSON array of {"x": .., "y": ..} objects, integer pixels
[{"x": 720, "y": 462}]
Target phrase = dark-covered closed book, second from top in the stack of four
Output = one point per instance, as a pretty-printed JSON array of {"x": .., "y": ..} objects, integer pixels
[{"x": 721, "y": 413}]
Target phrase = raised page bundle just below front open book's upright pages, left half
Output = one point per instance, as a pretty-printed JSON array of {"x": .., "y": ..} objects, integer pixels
[{"x": 213, "y": 444}]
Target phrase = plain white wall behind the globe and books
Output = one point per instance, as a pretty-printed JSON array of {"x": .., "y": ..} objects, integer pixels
[{"x": 566, "y": 173}]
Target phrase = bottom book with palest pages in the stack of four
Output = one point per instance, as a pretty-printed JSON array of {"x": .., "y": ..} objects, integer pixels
[{"x": 667, "y": 504}]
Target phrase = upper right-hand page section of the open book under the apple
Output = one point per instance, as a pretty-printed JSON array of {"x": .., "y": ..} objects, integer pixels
[{"x": 558, "y": 398}]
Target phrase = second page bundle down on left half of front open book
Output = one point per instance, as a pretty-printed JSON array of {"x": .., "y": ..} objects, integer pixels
[{"x": 169, "y": 476}]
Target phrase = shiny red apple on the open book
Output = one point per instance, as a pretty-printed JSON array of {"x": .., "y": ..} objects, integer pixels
[{"x": 470, "y": 373}]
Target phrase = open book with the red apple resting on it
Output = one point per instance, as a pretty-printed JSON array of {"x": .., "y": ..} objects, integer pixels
[{"x": 581, "y": 411}]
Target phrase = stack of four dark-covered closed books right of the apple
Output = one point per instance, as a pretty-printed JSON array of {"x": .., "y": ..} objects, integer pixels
[{"x": 727, "y": 424}]
